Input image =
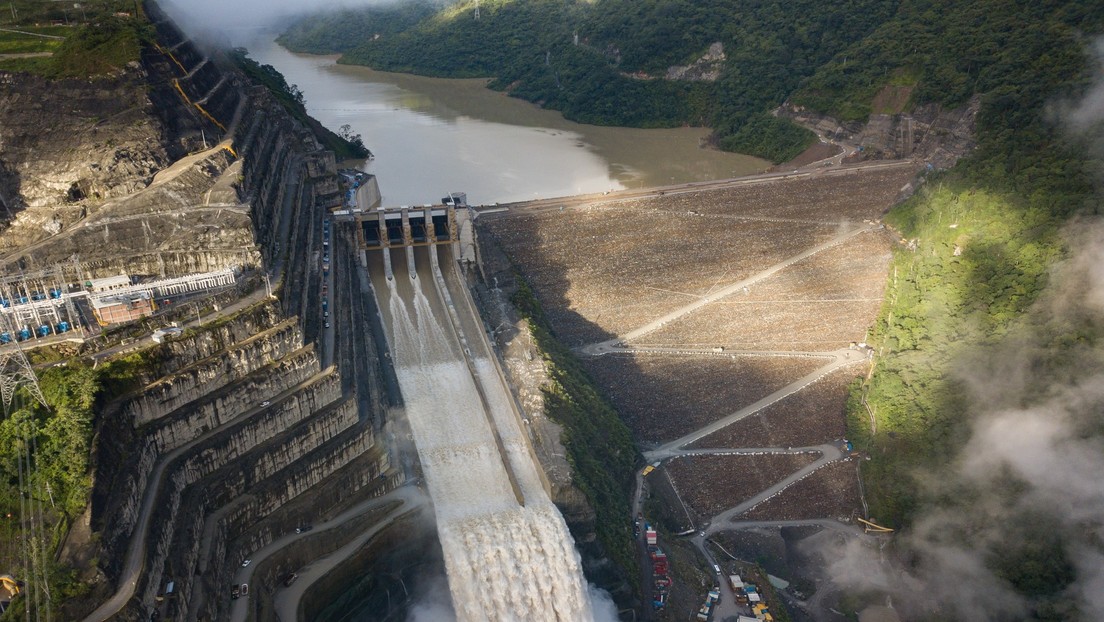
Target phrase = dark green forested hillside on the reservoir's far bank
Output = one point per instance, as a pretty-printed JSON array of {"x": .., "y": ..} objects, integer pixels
[{"x": 613, "y": 76}]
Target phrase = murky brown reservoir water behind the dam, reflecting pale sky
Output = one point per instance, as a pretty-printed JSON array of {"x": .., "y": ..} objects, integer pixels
[{"x": 434, "y": 136}]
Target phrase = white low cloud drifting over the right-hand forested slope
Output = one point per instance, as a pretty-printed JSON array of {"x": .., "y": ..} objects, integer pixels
[{"x": 1022, "y": 509}]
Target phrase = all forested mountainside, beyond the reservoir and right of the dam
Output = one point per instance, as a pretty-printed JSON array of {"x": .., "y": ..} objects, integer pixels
[{"x": 980, "y": 318}]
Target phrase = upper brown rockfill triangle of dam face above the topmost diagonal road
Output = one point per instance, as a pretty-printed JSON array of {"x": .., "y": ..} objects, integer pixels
[{"x": 601, "y": 272}]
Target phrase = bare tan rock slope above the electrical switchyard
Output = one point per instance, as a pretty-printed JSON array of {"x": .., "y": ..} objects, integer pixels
[{"x": 109, "y": 181}]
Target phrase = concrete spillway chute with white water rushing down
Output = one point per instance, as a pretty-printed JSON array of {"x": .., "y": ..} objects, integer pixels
[{"x": 507, "y": 550}]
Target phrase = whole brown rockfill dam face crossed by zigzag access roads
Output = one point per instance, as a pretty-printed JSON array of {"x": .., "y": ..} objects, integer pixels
[{"x": 726, "y": 325}]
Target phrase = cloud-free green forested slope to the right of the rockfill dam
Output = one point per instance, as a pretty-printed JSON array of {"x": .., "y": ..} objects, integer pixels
[{"x": 982, "y": 243}]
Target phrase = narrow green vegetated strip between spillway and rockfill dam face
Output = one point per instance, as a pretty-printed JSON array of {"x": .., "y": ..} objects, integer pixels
[{"x": 600, "y": 447}]
